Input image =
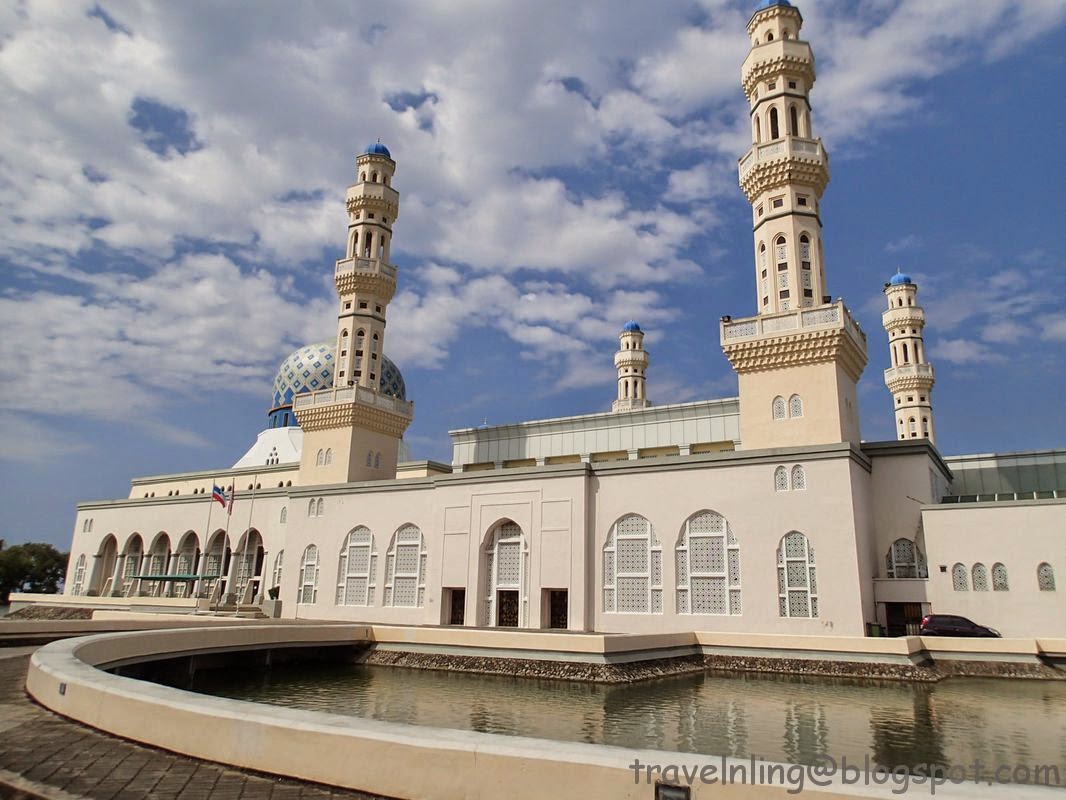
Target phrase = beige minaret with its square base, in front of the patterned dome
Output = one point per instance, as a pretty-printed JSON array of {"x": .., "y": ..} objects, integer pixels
[{"x": 352, "y": 431}]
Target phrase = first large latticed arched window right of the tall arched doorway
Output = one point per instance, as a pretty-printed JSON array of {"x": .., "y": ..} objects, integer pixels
[{"x": 633, "y": 568}]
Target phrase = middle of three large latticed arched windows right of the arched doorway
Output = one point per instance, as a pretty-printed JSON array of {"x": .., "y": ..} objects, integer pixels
[{"x": 708, "y": 567}]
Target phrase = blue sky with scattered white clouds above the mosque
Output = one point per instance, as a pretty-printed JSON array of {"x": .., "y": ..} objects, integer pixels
[{"x": 172, "y": 183}]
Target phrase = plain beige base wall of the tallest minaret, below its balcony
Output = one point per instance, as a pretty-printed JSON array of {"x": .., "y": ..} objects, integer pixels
[{"x": 830, "y": 399}]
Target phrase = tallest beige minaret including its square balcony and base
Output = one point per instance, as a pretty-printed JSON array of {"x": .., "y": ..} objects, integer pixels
[{"x": 799, "y": 360}]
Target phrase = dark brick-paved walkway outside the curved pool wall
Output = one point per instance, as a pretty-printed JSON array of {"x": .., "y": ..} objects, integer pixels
[{"x": 44, "y": 756}]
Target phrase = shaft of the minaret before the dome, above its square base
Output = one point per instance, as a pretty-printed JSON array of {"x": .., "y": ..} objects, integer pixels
[{"x": 365, "y": 280}]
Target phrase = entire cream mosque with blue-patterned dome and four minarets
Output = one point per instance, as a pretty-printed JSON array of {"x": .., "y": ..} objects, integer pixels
[{"x": 763, "y": 514}]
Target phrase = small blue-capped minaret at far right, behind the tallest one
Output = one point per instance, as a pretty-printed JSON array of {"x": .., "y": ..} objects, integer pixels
[{"x": 911, "y": 377}]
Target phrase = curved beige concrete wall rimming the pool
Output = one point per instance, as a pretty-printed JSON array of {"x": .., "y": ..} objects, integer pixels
[{"x": 357, "y": 754}]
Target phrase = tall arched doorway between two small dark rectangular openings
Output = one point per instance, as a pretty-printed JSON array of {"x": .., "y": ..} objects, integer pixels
[{"x": 507, "y": 577}]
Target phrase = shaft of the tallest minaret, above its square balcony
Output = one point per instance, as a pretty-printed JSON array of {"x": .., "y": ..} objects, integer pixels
[{"x": 787, "y": 170}]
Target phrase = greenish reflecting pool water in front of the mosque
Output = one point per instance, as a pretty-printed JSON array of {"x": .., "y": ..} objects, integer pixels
[{"x": 778, "y": 718}]
